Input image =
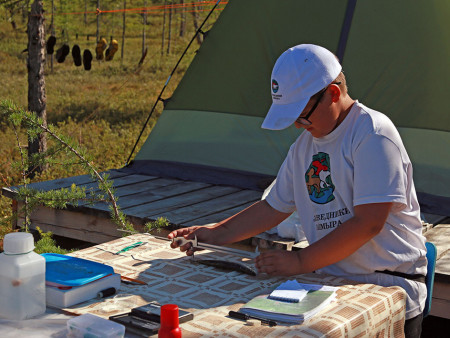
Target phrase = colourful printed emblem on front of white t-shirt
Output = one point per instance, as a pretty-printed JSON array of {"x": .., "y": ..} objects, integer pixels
[{"x": 318, "y": 179}]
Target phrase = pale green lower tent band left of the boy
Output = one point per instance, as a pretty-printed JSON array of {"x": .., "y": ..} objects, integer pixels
[{"x": 222, "y": 140}]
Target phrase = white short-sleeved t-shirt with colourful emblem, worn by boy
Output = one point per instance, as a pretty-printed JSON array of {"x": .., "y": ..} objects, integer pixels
[{"x": 362, "y": 161}]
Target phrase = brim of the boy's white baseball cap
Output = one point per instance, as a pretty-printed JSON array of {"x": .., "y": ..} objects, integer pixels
[{"x": 281, "y": 116}]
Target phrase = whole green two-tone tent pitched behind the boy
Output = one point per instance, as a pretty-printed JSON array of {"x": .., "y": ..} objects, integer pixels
[{"x": 396, "y": 58}]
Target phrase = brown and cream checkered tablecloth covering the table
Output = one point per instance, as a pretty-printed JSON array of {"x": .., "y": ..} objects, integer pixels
[{"x": 360, "y": 310}]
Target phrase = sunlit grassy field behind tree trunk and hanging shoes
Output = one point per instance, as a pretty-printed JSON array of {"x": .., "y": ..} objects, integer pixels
[{"x": 105, "y": 108}]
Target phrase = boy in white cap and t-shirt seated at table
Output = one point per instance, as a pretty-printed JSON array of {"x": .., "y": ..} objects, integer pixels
[{"x": 350, "y": 180}]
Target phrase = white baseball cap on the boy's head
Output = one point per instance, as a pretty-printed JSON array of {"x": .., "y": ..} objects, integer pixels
[{"x": 299, "y": 73}]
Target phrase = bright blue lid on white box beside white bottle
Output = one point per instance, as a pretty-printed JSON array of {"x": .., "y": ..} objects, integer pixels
[{"x": 73, "y": 271}]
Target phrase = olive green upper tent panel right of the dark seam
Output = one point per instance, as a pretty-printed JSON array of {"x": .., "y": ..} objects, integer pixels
[{"x": 397, "y": 60}]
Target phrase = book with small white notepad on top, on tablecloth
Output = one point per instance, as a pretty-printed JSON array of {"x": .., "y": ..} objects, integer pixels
[{"x": 292, "y": 303}]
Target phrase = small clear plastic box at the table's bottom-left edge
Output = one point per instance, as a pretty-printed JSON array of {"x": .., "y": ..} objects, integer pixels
[{"x": 89, "y": 325}]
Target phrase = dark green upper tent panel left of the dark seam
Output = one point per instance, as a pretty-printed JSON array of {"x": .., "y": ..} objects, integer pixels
[{"x": 231, "y": 71}]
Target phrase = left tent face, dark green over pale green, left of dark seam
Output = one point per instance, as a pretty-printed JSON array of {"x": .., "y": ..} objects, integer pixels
[{"x": 214, "y": 116}]
